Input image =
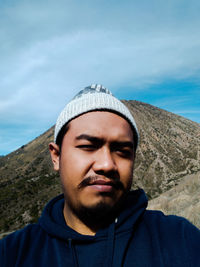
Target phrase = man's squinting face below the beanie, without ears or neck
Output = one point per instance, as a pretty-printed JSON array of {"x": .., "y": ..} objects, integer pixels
[{"x": 96, "y": 160}]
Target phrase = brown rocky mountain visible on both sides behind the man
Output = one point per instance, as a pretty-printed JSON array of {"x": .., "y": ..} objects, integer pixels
[{"x": 168, "y": 152}]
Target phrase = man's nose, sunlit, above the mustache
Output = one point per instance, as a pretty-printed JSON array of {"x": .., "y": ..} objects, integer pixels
[{"x": 104, "y": 161}]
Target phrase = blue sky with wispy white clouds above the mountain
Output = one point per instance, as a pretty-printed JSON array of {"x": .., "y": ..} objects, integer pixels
[{"x": 49, "y": 50}]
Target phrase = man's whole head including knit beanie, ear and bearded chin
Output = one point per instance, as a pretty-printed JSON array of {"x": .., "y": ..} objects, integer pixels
[{"x": 94, "y": 152}]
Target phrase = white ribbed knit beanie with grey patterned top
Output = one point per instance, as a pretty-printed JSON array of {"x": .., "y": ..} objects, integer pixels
[{"x": 91, "y": 98}]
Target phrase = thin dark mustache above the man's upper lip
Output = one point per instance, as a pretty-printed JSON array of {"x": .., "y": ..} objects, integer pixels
[{"x": 93, "y": 179}]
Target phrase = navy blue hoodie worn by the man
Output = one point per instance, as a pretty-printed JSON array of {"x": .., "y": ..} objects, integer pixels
[{"x": 137, "y": 238}]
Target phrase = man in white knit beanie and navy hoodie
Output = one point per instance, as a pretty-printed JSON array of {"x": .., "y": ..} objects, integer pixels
[{"x": 98, "y": 221}]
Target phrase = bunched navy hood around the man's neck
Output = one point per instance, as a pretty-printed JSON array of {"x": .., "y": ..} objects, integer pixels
[{"x": 52, "y": 219}]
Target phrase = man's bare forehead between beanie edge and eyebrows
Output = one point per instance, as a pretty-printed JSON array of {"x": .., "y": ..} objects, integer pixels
[{"x": 101, "y": 123}]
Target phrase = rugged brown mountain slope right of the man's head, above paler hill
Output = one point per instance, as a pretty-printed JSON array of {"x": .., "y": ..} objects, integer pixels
[{"x": 168, "y": 149}]
